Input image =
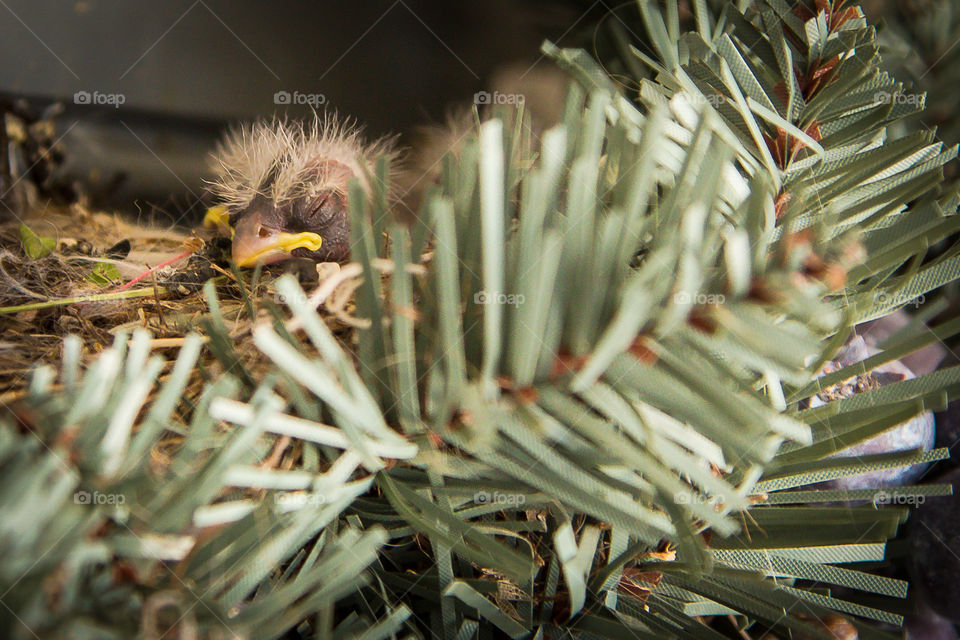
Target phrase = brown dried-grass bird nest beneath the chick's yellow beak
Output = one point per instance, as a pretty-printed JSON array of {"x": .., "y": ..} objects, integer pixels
[{"x": 95, "y": 274}]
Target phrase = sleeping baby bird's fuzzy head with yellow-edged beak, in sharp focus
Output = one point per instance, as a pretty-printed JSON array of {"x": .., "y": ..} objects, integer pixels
[{"x": 285, "y": 187}]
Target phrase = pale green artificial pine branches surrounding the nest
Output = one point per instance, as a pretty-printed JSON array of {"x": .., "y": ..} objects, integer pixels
[{"x": 578, "y": 411}]
